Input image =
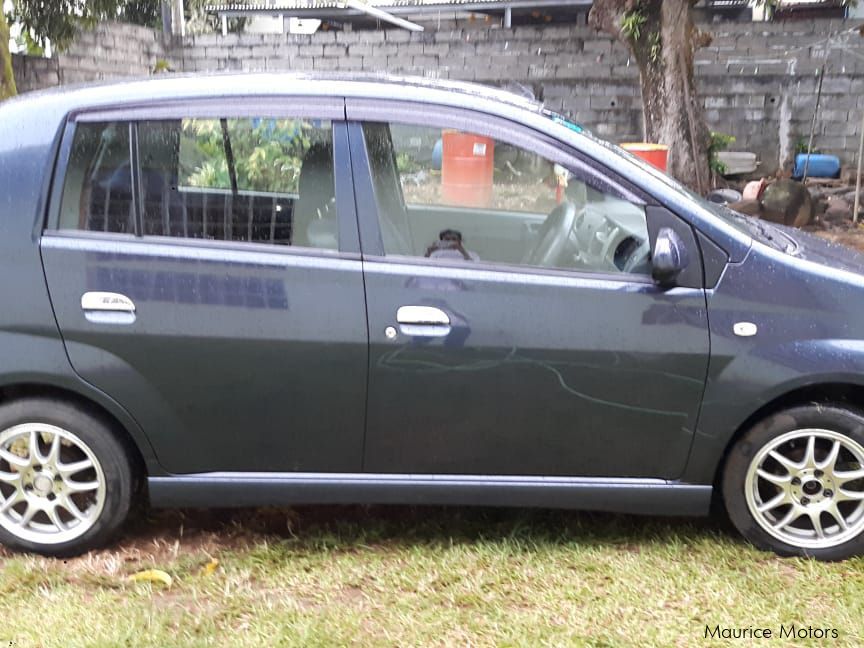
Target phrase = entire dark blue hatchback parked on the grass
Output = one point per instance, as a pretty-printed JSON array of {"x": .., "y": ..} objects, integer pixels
[{"x": 268, "y": 289}]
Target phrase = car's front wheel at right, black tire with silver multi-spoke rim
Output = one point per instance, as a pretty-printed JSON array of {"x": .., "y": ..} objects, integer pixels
[{"x": 794, "y": 482}]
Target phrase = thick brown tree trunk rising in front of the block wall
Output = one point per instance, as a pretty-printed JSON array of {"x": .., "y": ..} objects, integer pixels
[{"x": 663, "y": 49}]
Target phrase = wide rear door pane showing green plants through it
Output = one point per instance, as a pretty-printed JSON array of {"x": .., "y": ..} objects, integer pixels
[{"x": 263, "y": 180}]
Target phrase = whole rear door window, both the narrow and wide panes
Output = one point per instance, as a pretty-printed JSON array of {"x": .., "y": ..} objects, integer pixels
[{"x": 254, "y": 179}]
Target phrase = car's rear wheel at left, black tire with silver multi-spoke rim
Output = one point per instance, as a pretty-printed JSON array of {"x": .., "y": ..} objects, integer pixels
[{"x": 70, "y": 492}]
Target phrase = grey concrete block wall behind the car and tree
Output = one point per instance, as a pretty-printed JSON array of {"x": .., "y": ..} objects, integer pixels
[{"x": 757, "y": 80}]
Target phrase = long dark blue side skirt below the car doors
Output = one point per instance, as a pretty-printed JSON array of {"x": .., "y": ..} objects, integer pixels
[{"x": 227, "y": 489}]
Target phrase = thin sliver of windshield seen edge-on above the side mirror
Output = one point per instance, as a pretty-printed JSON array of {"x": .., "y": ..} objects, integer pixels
[{"x": 749, "y": 225}]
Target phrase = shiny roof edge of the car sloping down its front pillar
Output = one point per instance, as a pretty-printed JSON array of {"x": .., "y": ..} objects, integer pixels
[{"x": 54, "y": 104}]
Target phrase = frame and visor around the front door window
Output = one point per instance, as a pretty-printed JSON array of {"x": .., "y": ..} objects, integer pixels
[{"x": 511, "y": 132}]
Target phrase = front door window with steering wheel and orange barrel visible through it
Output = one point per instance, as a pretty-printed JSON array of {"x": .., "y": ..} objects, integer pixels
[{"x": 458, "y": 196}]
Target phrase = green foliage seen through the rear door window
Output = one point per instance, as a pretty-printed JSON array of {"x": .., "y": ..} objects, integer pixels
[{"x": 268, "y": 154}]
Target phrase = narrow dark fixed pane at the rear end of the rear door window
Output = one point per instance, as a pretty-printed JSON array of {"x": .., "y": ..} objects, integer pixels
[{"x": 97, "y": 189}]
